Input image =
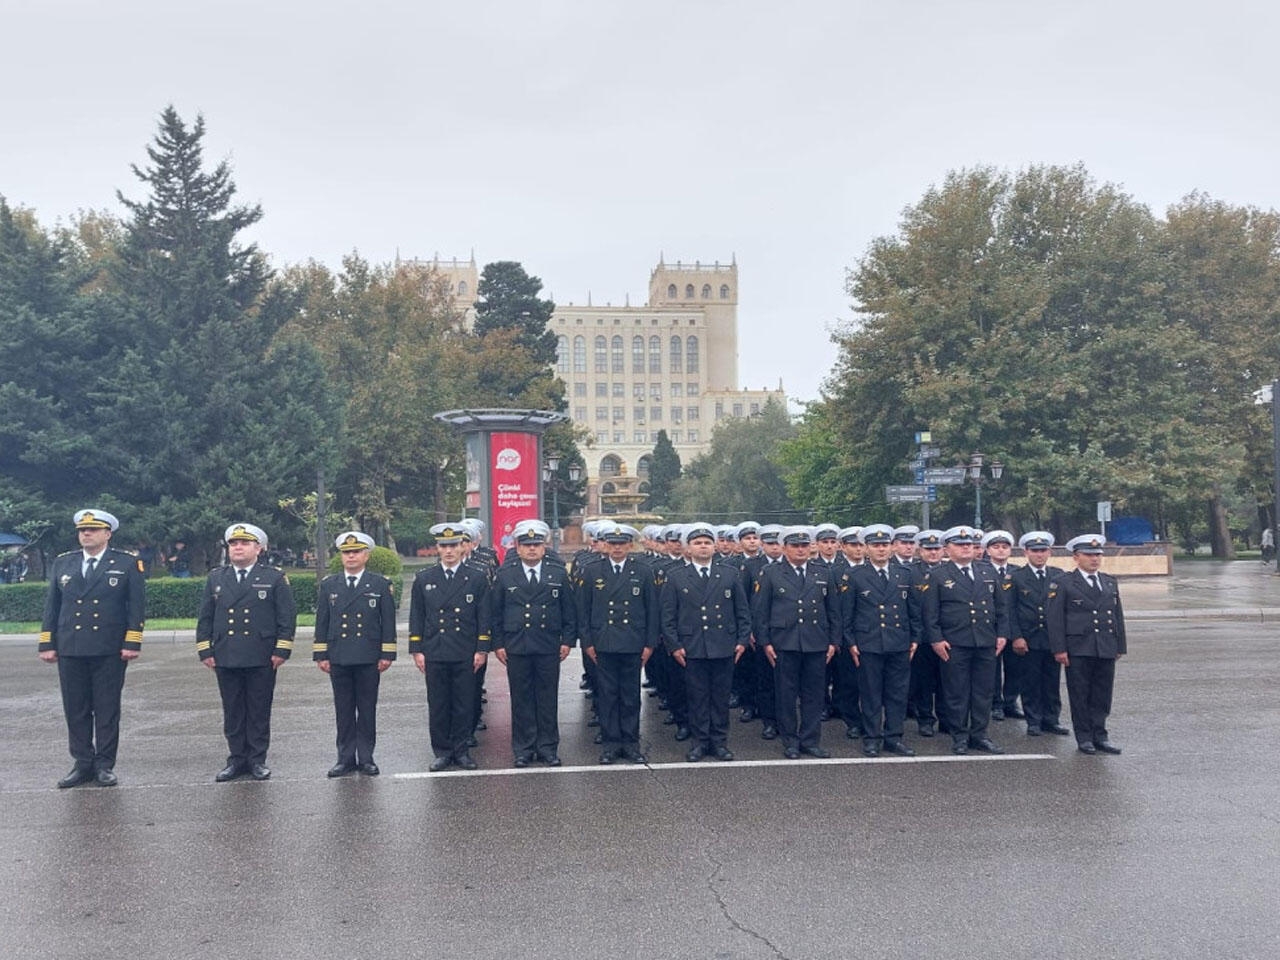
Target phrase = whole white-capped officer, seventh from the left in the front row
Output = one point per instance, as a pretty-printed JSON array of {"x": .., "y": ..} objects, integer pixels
[{"x": 707, "y": 625}]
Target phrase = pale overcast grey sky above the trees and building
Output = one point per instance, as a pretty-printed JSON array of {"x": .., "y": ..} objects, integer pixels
[{"x": 586, "y": 138}]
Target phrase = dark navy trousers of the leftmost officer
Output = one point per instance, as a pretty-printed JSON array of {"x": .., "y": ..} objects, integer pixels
[{"x": 92, "y": 700}]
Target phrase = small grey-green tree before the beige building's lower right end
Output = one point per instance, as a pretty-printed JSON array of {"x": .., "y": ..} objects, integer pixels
[{"x": 739, "y": 478}]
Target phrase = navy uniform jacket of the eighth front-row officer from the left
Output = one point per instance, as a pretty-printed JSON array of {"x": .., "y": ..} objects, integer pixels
[{"x": 794, "y": 616}]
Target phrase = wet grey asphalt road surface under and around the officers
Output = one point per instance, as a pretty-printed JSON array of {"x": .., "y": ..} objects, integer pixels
[{"x": 1169, "y": 851}]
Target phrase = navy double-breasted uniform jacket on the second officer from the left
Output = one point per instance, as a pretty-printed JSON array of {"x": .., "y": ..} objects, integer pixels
[{"x": 245, "y": 625}]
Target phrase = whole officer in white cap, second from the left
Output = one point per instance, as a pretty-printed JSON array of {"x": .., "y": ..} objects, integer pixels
[{"x": 244, "y": 634}]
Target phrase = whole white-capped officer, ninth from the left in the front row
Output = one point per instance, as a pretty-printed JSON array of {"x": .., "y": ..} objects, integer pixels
[{"x": 881, "y": 636}]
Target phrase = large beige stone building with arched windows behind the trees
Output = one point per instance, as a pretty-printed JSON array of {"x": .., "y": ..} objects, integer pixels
[{"x": 630, "y": 372}]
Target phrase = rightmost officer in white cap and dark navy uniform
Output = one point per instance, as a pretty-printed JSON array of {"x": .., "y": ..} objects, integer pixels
[{"x": 1086, "y": 634}]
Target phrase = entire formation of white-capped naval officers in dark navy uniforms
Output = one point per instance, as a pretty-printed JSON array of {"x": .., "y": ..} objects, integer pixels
[{"x": 793, "y": 625}]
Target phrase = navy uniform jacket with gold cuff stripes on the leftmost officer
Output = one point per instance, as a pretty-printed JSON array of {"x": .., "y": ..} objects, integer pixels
[{"x": 97, "y": 618}]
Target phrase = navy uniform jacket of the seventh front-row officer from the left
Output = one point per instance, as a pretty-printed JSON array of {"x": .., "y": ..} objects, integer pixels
[{"x": 706, "y": 620}]
